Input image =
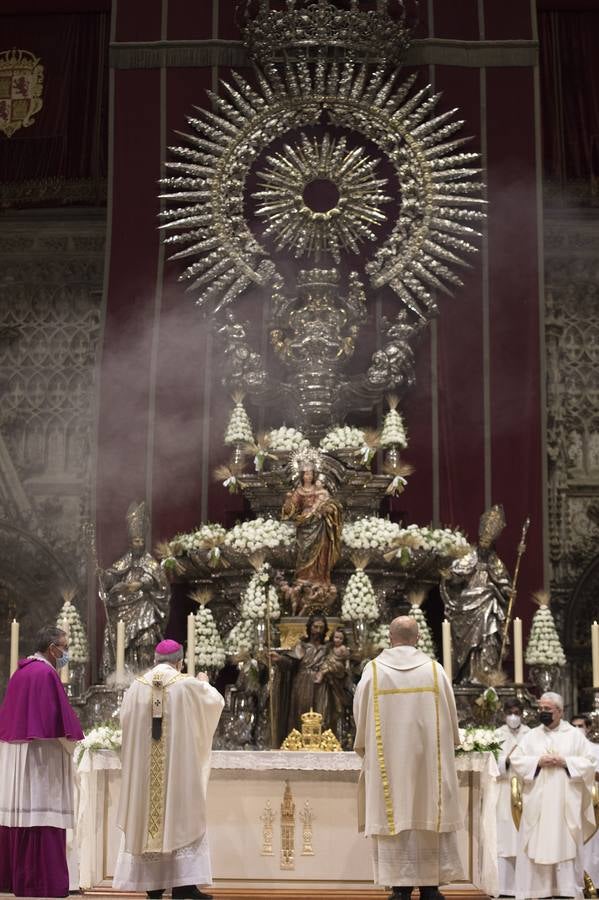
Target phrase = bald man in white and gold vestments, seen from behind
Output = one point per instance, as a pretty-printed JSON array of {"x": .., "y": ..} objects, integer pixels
[{"x": 406, "y": 731}]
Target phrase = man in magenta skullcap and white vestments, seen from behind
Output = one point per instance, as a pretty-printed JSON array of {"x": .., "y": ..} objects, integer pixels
[{"x": 168, "y": 721}]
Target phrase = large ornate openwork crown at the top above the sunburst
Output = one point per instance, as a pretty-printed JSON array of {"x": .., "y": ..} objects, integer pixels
[{"x": 313, "y": 29}]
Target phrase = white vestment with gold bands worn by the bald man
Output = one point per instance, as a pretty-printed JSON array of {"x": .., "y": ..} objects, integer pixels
[{"x": 406, "y": 731}]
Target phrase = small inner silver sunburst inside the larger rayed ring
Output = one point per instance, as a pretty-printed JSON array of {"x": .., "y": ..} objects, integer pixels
[{"x": 353, "y": 214}]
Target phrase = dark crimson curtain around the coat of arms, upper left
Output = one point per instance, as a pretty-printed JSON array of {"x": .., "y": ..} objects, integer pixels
[{"x": 62, "y": 157}]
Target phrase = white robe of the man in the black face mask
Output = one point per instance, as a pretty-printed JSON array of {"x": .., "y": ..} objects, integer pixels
[{"x": 557, "y": 813}]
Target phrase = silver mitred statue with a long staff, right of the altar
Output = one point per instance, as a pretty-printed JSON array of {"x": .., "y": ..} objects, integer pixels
[{"x": 476, "y": 594}]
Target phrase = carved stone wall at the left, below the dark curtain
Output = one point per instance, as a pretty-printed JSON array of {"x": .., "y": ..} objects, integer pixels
[{"x": 51, "y": 269}]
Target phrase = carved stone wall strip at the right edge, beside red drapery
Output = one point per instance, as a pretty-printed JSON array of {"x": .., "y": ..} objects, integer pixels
[{"x": 572, "y": 336}]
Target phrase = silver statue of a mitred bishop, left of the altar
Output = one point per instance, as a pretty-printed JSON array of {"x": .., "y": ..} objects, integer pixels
[{"x": 136, "y": 592}]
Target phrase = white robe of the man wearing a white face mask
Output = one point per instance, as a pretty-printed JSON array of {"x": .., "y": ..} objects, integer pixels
[{"x": 507, "y": 836}]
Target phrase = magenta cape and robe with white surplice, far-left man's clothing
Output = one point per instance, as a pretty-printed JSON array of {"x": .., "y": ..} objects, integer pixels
[{"x": 38, "y": 729}]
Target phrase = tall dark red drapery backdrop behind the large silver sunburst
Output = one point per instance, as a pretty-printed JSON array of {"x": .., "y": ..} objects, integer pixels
[{"x": 474, "y": 416}]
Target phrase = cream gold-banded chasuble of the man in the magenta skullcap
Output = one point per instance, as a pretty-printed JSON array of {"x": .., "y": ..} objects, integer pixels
[{"x": 162, "y": 805}]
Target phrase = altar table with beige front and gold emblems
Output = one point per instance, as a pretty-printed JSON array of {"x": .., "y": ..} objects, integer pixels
[{"x": 245, "y": 784}]
